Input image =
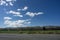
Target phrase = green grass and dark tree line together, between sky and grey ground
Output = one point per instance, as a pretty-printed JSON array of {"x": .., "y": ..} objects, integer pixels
[{"x": 32, "y": 30}]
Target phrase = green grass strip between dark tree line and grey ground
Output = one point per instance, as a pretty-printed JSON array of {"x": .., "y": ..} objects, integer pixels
[{"x": 33, "y": 32}]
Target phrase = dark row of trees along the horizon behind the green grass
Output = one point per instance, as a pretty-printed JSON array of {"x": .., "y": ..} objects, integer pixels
[{"x": 32, "y": 28}]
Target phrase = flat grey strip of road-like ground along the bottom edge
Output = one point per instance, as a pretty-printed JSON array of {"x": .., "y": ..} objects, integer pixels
[{"x": 29, "y": 37}]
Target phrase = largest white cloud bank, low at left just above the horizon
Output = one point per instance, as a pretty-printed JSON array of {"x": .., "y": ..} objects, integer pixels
[{"x": 17, "y": 23}]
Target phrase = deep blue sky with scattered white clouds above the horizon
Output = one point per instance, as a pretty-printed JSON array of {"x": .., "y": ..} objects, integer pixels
[{"x": 21, "y": 13}]
